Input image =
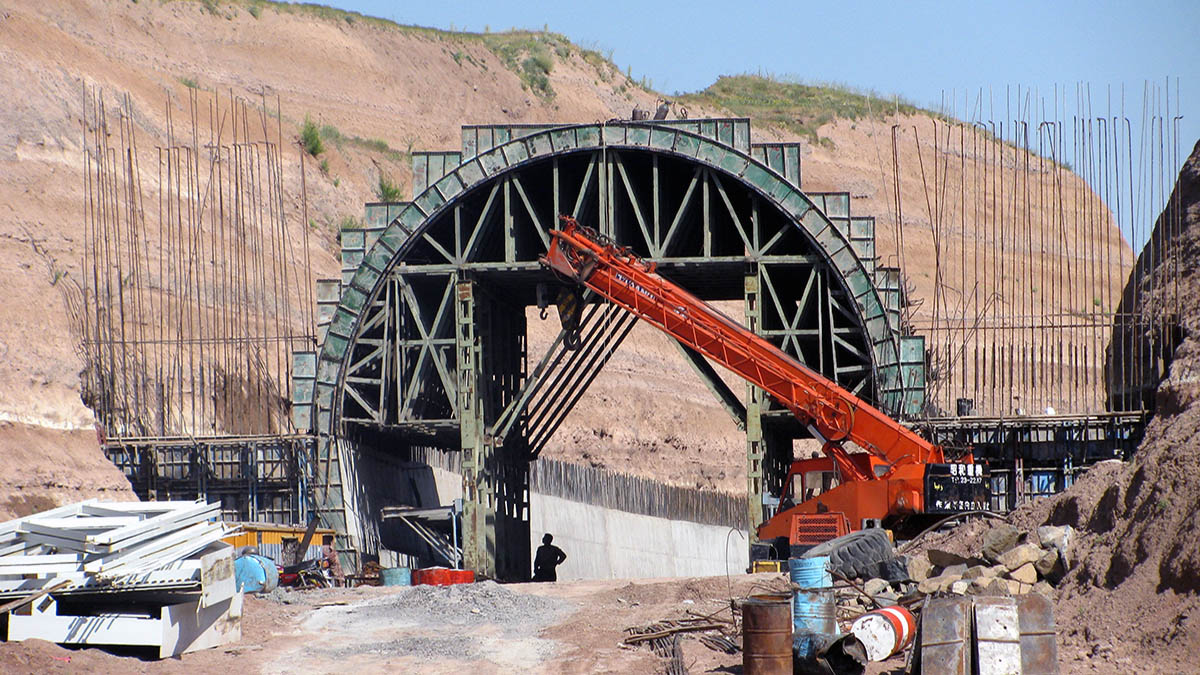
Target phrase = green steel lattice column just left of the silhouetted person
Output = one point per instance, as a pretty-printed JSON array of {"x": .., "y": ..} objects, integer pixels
[{"x": 479, "y": 506}]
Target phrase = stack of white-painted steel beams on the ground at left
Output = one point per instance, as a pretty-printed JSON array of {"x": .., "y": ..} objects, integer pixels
[{"x": 124, "y": 574}]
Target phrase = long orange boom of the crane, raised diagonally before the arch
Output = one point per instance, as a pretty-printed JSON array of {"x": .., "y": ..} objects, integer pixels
[{"x": 585, "y": 256}]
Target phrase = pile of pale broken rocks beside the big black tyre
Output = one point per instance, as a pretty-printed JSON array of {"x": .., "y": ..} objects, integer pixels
[{"x": 1011, "y": 563}]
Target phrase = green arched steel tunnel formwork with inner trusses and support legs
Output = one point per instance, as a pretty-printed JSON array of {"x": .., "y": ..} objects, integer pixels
[{"x": 428, "y": 341}]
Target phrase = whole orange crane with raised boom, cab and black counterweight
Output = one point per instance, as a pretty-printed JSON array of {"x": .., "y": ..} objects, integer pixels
[{"x": 892, "y": 479}]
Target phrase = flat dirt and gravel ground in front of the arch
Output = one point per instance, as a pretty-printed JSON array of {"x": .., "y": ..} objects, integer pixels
[{"x": 566, "y": 628}]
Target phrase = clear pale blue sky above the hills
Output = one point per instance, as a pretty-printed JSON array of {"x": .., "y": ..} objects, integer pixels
[{"x": 926, "y": 52}]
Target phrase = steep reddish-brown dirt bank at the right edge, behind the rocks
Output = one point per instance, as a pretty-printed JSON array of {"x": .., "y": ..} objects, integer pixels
[{"x": 1130, "y": 604}]
